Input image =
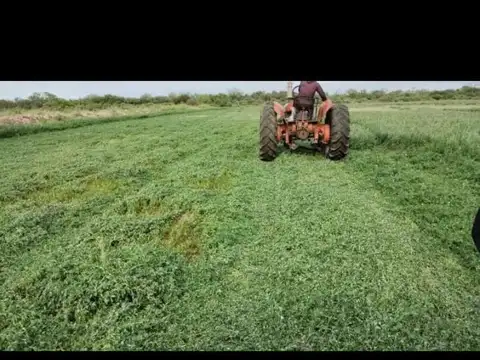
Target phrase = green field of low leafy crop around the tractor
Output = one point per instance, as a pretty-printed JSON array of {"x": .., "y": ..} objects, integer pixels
[{"x": 169, "y": 233}]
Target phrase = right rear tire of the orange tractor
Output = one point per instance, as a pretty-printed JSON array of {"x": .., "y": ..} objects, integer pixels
[{"x": 339, "y": 121}]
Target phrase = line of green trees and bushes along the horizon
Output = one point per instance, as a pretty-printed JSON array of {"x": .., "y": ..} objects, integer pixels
[{"x": 232, "y": 98}]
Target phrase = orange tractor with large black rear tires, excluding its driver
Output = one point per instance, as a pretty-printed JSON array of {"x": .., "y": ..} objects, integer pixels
[{"x": 327, "y": 127}]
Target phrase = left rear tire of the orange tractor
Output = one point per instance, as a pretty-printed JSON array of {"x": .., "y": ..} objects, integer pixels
[{"x": 268, "y": 129}]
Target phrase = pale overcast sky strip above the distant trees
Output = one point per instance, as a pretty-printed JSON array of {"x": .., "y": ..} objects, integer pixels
[{"x": 76, "y": 89}]
